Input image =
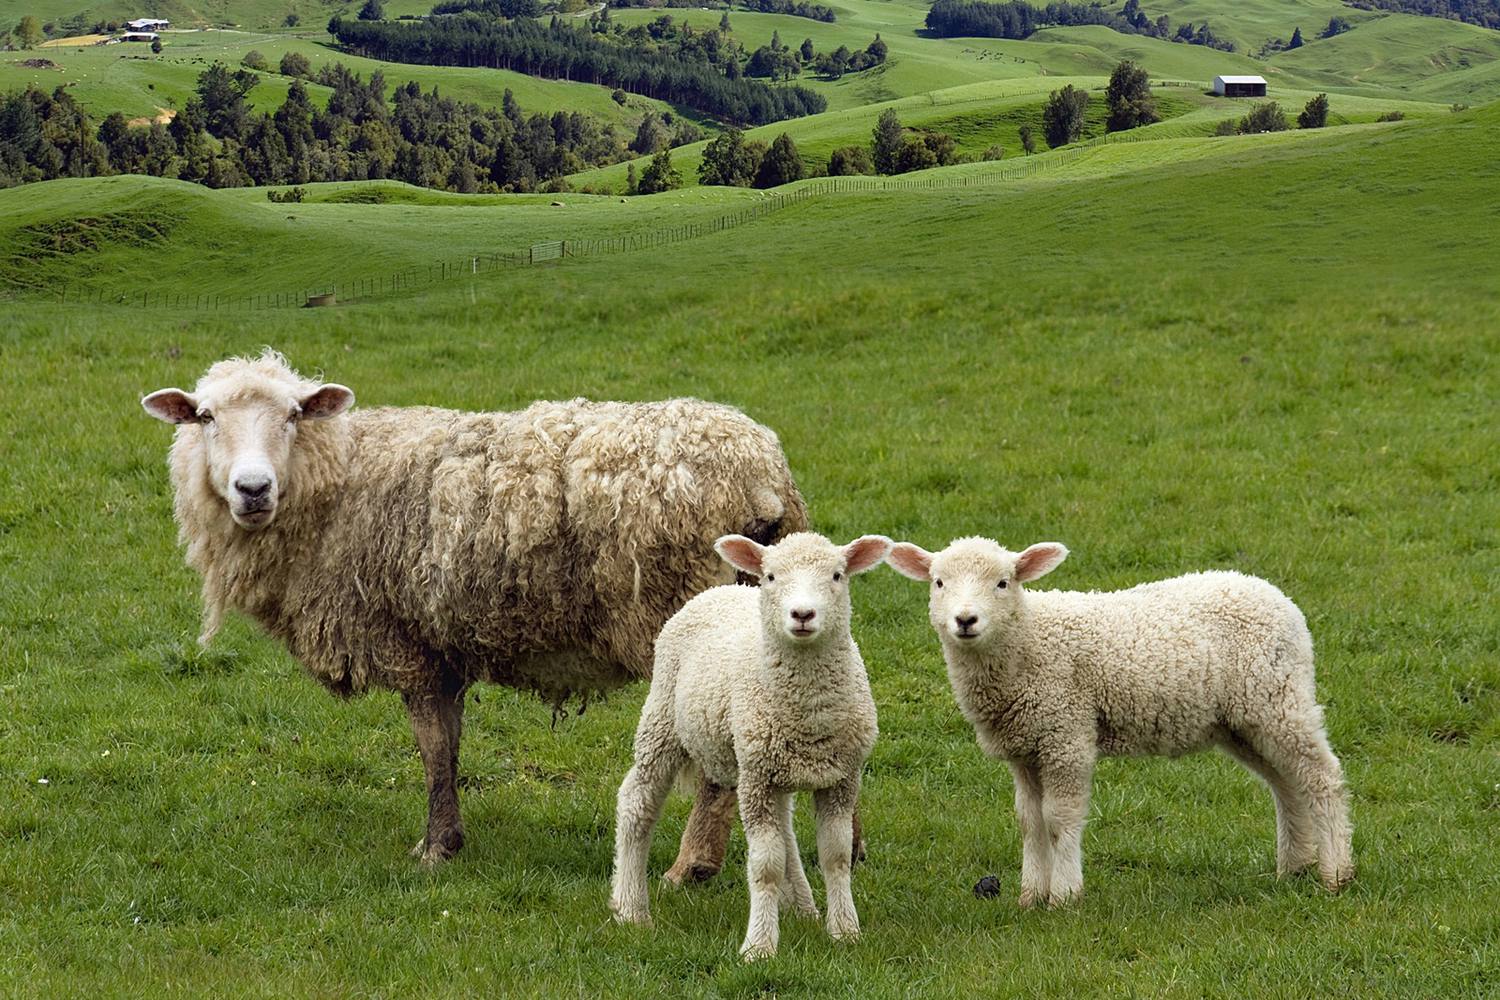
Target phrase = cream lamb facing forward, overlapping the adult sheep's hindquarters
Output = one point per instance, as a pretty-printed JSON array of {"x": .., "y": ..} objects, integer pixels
[{"x": 761, "y": 689}]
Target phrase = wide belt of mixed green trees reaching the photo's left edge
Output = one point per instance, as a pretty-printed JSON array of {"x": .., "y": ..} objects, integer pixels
[{"x": 218, "y": 140}]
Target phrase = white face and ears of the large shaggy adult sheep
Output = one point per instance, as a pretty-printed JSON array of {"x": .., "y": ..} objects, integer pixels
[{"x": 247, "y": 415}]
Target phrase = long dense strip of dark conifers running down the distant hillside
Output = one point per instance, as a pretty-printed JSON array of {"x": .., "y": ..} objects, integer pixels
[{"x": 562, "y": 52}]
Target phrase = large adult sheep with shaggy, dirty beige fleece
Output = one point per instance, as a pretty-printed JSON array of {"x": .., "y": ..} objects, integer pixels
[{"x": 424, "y": 549}]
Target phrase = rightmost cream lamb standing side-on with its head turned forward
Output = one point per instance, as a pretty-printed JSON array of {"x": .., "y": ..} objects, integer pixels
[{"x": 1052, "y": 680}]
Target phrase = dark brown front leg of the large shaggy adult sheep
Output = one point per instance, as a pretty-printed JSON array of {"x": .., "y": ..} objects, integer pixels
[{"x": 437, "y": 719}]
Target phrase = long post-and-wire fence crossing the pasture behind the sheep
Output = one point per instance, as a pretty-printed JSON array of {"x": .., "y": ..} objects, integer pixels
[{"x": 553, "y": 251}]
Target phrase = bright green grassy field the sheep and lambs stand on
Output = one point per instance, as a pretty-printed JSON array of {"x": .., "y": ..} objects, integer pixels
[{"x": 1214, "y": 362}]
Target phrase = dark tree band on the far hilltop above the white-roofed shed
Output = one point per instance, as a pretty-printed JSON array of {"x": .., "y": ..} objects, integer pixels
[{"x": 1016, "y": 20}]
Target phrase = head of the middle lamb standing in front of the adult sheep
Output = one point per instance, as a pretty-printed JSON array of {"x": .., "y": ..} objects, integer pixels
[{"x": 805, "y": 581}]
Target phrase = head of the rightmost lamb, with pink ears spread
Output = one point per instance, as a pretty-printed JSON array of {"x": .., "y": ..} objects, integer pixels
[{"x": 976, "y": 584}]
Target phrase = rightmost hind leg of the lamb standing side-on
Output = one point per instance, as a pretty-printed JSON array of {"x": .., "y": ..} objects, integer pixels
[{"x": 1300, "y": 752}]
